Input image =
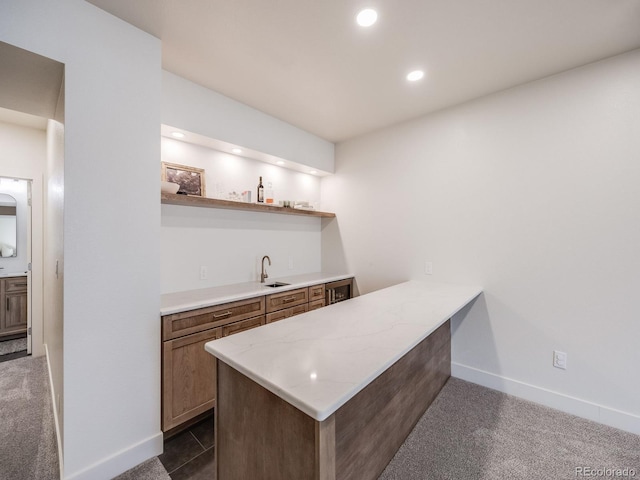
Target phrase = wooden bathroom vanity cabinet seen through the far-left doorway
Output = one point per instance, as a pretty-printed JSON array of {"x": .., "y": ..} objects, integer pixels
[{"x": 13, "y": 306}]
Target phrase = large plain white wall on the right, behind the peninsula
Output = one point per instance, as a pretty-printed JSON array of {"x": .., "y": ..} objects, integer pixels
[{"x": 532, "y": 194}]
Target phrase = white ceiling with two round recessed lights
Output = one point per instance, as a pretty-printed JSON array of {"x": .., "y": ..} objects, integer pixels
[{"x": 306, "y": 61}]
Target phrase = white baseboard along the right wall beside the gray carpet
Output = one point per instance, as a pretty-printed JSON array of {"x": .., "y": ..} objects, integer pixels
[{"x": 575, "y": 406}]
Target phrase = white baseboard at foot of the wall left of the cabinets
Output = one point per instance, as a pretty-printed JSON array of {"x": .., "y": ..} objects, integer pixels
[{"x": 122, "y": 461}]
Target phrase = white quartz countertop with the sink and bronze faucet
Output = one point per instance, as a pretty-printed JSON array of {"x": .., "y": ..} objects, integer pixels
[{"x": 207, "y": 297}]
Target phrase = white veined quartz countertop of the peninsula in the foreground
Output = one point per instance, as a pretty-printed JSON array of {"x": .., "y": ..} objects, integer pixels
[{"x": 319, "y": 360}]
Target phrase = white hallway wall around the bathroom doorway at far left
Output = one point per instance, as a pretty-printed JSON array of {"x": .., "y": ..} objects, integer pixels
[{"x": 23, "y": 155}]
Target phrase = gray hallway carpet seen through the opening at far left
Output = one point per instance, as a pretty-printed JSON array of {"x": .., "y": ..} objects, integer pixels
[{"x": 28, "y": 447}]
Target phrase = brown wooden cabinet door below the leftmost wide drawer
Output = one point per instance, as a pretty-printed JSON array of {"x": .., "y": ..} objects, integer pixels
[{"x": 188, "y": 378}]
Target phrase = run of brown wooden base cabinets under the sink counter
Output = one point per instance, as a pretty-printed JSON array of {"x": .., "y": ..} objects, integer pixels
[{"x": 189, "y": 372}]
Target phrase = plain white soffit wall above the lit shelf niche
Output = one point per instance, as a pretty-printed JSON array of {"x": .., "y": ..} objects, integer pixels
[{"x": 199, "y": 110}]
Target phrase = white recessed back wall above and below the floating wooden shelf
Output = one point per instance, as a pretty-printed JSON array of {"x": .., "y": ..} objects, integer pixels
[{"x": 231, "y": 243}]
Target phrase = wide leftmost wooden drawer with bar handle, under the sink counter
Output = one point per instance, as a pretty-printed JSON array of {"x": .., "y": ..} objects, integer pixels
[{"x": 185, "y": 323}]
